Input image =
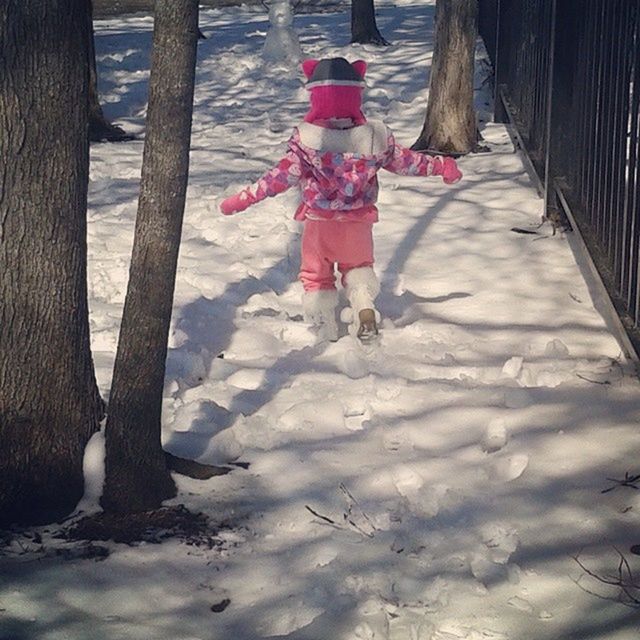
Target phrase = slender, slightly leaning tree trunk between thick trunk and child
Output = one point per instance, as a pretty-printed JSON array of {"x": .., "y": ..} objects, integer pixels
[{"x": 137, "y": 478}]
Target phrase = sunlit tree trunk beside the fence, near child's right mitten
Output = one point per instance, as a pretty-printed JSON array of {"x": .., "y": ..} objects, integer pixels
[{"x": 450, "y": 122}]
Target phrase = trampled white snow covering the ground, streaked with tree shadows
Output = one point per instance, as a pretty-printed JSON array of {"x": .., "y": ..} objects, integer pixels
[{"x": 455, "y": 467}]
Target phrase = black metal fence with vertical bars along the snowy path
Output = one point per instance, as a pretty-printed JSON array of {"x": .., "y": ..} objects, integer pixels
[{"x": 567, "y": 77}]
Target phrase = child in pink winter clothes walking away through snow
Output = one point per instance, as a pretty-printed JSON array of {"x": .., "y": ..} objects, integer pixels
[{"x": 333, "y": 158}]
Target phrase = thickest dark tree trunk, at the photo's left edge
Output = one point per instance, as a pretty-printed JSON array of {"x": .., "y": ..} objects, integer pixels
[{"x": 49, "y": 401}]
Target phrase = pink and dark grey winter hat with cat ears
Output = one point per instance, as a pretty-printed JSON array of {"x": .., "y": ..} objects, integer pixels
[{"x": 335, "y": 89}]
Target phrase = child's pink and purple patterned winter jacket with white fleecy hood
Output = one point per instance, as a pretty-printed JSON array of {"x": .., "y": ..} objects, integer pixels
[{"x": 336, "y": 170}]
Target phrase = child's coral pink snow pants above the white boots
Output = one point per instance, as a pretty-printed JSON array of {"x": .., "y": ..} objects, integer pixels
[{"x": 326, "y": 243}]
